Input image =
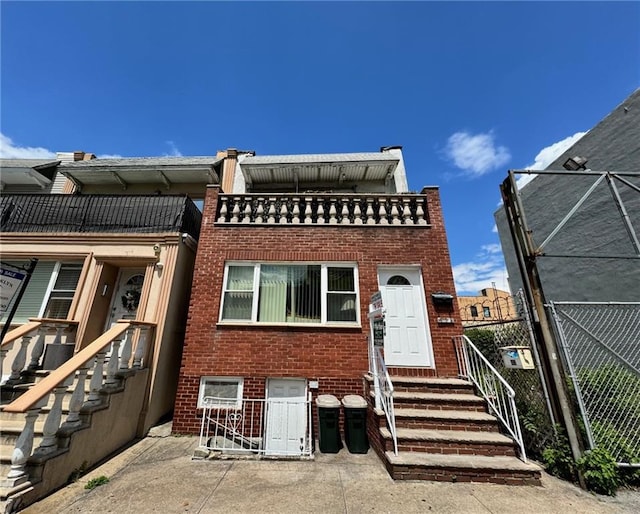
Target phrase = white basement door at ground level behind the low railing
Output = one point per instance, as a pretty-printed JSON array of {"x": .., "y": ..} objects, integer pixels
[{"x": 286, "y": 432}]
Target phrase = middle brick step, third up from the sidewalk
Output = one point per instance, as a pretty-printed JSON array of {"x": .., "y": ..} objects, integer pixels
[{"x": 445, "y": 420}]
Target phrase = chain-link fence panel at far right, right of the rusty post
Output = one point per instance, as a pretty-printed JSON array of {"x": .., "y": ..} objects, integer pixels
[{"x": 600, "y": 343}]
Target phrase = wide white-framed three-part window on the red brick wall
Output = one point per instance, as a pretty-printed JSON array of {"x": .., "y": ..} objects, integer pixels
[{"x": 290, "y": 293}]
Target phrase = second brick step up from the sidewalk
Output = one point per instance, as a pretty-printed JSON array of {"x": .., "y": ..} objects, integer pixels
[{"x": 455, "y": 442}]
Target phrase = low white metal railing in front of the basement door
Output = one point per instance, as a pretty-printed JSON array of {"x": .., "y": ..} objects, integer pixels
[{"x": 271, "y": 427}]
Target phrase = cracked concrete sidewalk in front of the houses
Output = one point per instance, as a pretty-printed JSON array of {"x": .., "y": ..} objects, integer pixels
[{"x": 158, "y": 475}]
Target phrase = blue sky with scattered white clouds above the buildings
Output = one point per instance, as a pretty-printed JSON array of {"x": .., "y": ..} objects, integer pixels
[{"x": 469, "y": 89}]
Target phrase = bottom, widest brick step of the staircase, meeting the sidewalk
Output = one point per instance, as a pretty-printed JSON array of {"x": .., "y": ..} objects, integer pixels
[{"x": 461, "y": 468}]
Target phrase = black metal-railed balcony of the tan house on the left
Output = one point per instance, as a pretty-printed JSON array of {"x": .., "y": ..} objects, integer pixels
[{"x": 99, "y": 214}]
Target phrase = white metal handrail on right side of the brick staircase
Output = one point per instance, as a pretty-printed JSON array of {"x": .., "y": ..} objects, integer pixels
[{"x": 492, "y": 386}]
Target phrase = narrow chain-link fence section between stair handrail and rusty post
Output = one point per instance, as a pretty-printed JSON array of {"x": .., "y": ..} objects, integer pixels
[{"x": 531, "y": 396}]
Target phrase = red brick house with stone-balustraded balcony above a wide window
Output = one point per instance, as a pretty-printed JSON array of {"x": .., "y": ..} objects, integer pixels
[{"x": 294, "y": 273}]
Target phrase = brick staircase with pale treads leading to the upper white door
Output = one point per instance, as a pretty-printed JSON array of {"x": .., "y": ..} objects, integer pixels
[{"x": 445, "y": 433}]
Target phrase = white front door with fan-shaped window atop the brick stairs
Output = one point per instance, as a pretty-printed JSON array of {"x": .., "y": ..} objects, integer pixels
[{"x": 407, "y": 340}]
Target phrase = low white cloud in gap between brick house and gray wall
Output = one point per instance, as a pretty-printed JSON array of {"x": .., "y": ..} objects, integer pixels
[{"x": 487, "y": 268}]
